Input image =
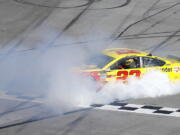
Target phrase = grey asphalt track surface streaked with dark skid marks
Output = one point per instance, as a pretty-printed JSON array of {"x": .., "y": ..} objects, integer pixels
[{"x": 33, "y": 27}]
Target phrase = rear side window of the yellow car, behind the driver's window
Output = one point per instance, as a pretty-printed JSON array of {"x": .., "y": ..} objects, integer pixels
[{"x": 152, "y": 62}]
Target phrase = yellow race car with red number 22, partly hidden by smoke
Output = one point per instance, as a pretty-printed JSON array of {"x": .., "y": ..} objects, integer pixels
[{"x": 122, "y": 63}]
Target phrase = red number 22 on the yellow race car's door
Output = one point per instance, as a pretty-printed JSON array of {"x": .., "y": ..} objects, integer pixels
[{"x": 123, "y": 75}]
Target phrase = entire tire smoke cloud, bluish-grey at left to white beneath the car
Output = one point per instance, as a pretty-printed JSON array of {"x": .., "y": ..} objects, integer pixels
[{"x": 50, "y": 73}]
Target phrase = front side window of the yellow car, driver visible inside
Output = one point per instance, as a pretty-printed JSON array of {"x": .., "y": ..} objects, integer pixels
[{"x": 127, "y": 63}]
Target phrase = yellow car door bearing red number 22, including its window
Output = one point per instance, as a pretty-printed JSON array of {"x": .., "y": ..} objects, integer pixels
[{"x": 119, "y": 72}]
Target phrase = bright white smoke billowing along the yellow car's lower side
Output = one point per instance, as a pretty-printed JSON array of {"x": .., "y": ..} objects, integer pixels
[{"x": 153, "y": 84}]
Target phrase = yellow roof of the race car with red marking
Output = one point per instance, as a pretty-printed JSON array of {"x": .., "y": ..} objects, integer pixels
[{"x": 122, "y": 52}]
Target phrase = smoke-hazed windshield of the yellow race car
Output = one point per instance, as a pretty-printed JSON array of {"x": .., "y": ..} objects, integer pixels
[{"x": 99, "y": 60}]
